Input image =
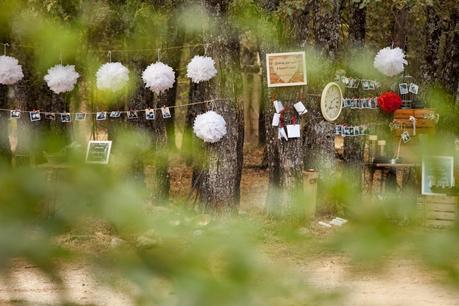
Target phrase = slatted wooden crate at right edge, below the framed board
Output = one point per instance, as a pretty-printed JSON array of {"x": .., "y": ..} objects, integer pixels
[{"x": 438, "y": 211}]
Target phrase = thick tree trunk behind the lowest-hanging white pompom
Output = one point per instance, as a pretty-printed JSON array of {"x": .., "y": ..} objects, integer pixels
[{"x": 217, "y": 179}]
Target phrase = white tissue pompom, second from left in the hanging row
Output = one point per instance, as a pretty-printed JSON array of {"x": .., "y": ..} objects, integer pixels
[{"x": 61, "y": 78}]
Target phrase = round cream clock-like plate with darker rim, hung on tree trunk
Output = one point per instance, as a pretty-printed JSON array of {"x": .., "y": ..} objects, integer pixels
[{"x": 331, "y": 101}]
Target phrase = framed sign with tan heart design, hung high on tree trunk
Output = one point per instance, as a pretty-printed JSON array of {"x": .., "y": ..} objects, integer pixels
[{"x": 286, "y": 69}]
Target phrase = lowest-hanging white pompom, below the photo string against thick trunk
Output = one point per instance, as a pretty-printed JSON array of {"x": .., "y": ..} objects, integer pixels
[{"x": 210, "y": 127}]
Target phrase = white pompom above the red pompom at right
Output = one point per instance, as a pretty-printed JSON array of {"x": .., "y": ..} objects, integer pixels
[{"x": 390, "y": 61}]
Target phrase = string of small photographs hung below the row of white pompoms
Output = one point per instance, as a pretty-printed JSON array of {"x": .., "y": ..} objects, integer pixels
[{"x": 65, "y": 117}]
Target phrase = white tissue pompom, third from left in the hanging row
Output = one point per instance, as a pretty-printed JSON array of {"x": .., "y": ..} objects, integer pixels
[{"x": 112, "y": 76}]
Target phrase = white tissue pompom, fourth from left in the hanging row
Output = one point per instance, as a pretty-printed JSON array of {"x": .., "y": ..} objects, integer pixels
[{"x": 158, "y": 77}]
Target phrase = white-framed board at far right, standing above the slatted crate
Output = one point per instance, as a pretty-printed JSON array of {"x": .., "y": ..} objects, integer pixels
[{"x": 437, "y": 171}]
